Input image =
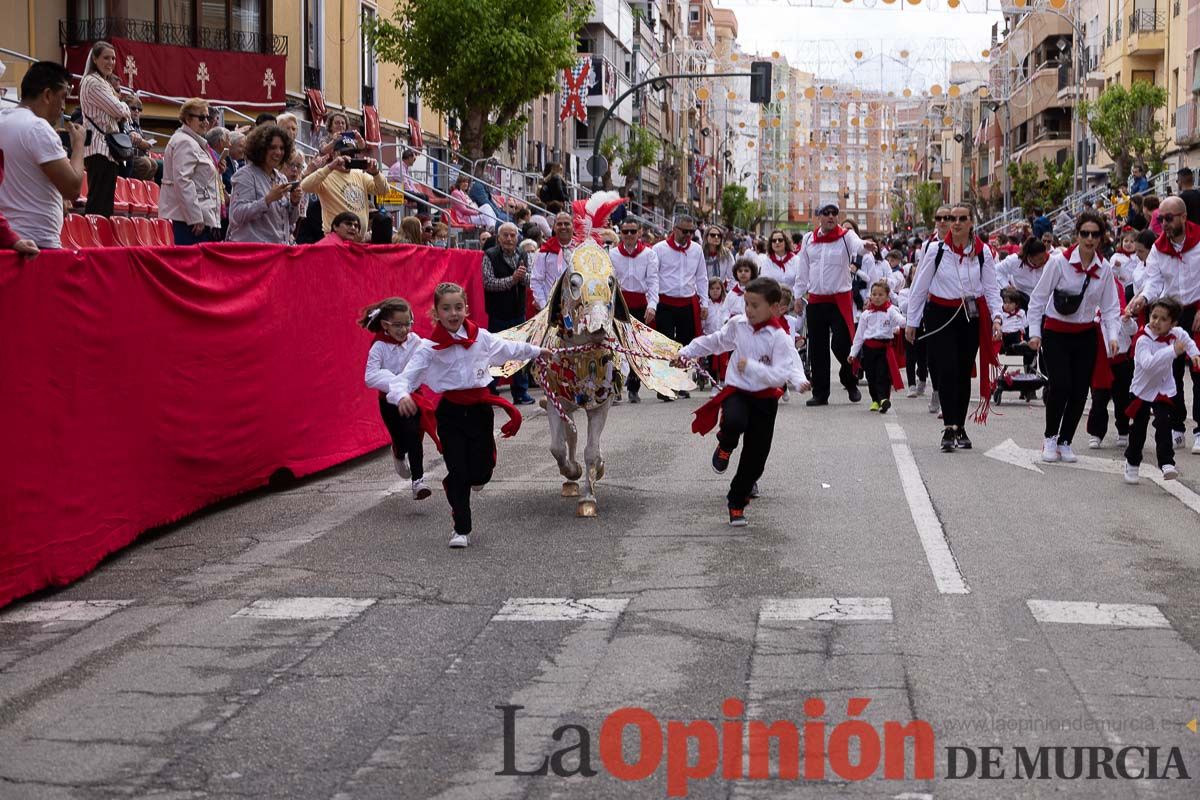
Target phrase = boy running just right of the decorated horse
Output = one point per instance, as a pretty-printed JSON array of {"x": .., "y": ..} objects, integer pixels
[{"x": 764, "y": 362}]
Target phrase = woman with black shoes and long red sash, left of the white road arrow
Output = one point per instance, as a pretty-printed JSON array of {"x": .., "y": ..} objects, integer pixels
[{"x": 957, "y": 297}]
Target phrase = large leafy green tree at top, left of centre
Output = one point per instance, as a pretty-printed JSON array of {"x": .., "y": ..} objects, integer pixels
[{"x": 481, "y": 61}]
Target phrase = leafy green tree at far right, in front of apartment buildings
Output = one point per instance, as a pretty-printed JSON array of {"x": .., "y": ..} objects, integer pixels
[{"x": 1124, "y": 123}]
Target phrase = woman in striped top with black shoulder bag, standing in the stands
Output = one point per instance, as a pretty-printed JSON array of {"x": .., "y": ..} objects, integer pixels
[{"x": 104, "y": 117}]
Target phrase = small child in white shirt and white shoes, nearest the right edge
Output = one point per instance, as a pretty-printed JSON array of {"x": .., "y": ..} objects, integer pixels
[{"x": 1155, "y": 350}]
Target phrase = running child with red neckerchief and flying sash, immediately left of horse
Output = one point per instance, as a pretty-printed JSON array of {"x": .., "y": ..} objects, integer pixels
[{"x": 457, "y": 364}]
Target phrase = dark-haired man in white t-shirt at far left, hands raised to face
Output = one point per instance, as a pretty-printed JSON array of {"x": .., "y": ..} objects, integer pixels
[{"x": 39, "y": 175}]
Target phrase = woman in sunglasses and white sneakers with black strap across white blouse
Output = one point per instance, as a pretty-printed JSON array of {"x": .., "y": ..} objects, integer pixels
[{"x": 1076, "y": 350}]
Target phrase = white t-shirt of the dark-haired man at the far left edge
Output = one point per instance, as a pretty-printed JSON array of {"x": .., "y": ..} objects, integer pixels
[{"x": 28, "y": 200}]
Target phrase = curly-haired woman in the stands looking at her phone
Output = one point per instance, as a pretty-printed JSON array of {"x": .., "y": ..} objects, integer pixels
[{"x": 265, "y": 206}]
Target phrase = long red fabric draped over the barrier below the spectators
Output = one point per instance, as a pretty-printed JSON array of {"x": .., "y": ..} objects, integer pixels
[{"x": 143, "y": 384}]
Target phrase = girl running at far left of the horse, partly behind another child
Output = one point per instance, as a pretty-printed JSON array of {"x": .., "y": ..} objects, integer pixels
[{"x": 392, "y": 322}]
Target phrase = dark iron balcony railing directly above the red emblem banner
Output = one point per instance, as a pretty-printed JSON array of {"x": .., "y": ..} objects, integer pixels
[{"x": 83, "y": 32}]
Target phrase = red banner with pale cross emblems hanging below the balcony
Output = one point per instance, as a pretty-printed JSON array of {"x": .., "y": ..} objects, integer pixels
[{"x": 225, "y": 77}]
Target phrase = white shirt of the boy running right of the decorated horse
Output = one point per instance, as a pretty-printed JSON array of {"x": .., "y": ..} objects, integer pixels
[{"x": 771, "y": 356}]
